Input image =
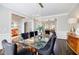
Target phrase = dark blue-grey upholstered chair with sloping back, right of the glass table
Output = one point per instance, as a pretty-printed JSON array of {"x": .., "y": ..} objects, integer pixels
[{"x": 49, "y": 47}]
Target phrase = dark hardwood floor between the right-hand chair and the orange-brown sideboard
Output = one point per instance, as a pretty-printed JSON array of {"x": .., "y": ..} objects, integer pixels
[{"x": 61, "y": 48}]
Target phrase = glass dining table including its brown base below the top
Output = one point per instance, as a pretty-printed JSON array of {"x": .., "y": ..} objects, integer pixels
[{"x": 32, "y": 44}]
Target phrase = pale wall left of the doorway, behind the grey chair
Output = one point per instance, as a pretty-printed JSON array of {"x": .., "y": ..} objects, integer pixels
[{"x": 5, "y": 22}]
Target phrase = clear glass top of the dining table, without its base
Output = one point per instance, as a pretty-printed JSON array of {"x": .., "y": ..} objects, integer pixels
[{"x": 36, "y": 42}]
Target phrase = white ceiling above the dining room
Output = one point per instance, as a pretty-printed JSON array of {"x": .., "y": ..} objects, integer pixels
[{"x": 33, "y": 9}]
